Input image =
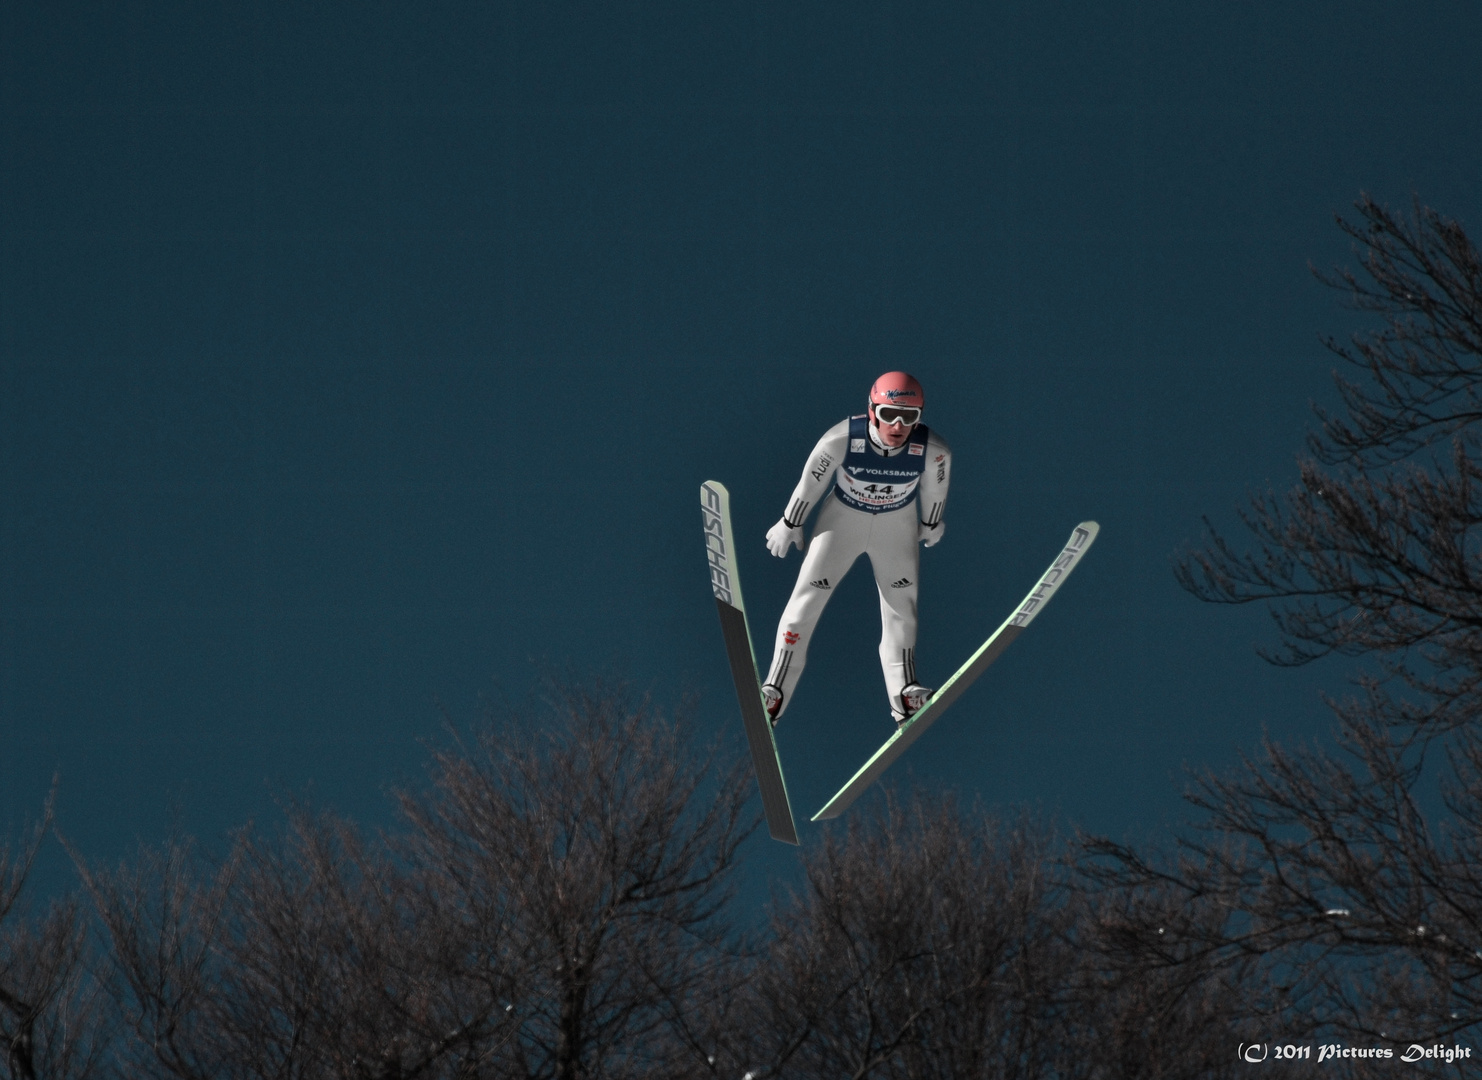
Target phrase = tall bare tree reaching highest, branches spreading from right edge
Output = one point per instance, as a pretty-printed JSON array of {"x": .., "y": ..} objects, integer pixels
[{"x": 1366, "y": 910}]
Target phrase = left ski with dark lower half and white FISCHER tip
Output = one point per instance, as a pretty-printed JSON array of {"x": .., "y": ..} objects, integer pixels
[{"x": 725, "y": 583}]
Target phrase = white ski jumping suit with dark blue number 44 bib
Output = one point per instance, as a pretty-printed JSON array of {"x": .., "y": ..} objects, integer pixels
[{"x": 880, "y": 499}]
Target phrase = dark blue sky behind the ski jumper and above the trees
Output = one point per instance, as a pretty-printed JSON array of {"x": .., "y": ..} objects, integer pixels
[{"x": 359, "y": 356}]
